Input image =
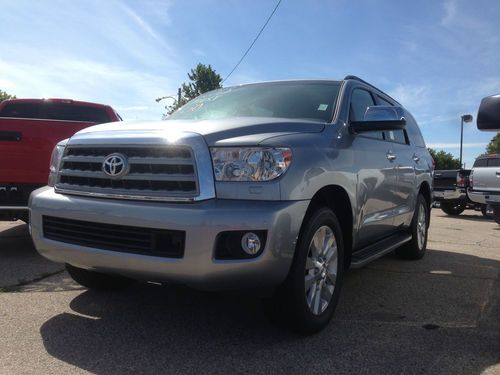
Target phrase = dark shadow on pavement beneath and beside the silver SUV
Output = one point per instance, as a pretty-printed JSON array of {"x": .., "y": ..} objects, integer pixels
[{"x": 439, "y": 315}]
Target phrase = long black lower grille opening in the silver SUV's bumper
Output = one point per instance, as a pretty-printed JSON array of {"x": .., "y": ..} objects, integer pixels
[{"x": 122, "y": 238}]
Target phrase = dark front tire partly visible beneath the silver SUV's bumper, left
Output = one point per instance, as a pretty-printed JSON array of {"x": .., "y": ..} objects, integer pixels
[{"x": 98, "y": 281}]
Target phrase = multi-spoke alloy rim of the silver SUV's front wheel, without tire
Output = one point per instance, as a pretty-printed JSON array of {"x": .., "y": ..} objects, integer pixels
[{"x": 321, "y": 270}]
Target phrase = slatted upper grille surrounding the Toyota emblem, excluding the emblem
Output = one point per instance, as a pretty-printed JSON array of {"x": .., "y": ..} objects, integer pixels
[{"x": 154, "y": 172}]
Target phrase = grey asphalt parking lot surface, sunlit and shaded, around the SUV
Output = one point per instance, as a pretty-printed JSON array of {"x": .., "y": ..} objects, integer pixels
[{"x": 437, "y": 315}]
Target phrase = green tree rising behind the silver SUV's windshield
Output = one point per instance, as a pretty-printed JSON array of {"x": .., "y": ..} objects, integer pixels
[{"x": 202, "y": 79}]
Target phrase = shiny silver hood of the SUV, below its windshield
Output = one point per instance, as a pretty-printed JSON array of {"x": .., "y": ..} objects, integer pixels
[{"x": 240, "y": 130}]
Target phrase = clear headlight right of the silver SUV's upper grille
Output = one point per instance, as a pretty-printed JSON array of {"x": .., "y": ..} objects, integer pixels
[{"x": 250, "y": 163}]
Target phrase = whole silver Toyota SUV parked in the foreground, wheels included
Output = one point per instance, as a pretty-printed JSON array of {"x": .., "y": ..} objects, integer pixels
[{"x": 279, "y": 184}]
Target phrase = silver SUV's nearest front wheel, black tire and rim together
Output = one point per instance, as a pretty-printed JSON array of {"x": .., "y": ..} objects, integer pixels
[{"x": 297, "y": 302}]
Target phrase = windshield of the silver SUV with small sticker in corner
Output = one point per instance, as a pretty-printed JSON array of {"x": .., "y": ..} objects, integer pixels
[{"x": 295, "y": 100}]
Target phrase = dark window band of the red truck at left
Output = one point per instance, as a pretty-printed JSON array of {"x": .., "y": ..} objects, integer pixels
[{"x": 55, "y": 111}]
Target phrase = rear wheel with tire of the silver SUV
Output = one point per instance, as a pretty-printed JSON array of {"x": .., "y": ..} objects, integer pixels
[{"x": 416, "y": 248}]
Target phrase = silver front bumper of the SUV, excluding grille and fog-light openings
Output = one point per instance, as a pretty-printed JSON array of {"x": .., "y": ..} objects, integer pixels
[{"x": 202, "y": 222}]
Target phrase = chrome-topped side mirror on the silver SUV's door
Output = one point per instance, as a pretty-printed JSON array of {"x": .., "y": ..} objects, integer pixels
[{"x": 380, "y": 118}]
